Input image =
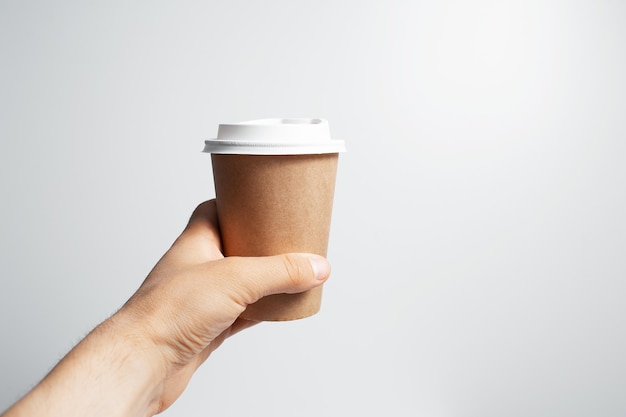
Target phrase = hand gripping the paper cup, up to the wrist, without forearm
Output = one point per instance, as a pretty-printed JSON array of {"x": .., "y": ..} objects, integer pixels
[{"x": 191, "y": 301}]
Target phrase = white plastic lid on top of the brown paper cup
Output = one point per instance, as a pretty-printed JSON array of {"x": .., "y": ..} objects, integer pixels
[{"x": 275, "y": 137}]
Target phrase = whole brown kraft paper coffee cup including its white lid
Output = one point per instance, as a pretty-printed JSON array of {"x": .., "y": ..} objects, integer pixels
[{"x": 274, "y": 186}]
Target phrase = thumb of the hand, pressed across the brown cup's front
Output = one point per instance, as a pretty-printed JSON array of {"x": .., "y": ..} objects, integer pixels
[{"x": 252, "y": 278}]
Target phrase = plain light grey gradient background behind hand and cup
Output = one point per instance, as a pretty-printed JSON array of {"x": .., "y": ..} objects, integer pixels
[{"x": 478, "y": 242}]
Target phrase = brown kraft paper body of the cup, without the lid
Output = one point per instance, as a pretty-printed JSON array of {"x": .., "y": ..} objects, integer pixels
[{"x": 273, "y": 204}]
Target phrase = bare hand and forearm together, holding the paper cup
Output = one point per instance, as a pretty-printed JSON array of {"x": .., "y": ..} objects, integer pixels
[{"x": 139, "y": 361}]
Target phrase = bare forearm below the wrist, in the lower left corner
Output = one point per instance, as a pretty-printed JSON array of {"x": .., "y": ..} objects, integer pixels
[{"x": 110, "y": 373}]
